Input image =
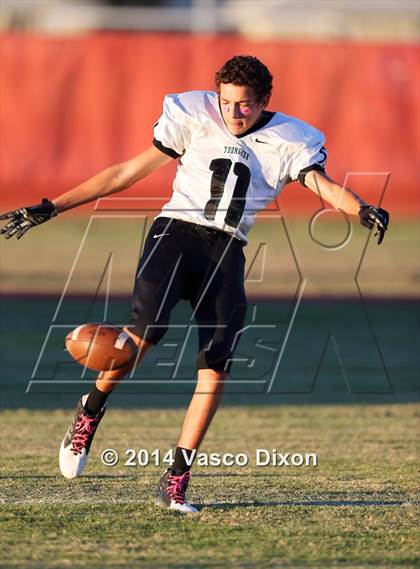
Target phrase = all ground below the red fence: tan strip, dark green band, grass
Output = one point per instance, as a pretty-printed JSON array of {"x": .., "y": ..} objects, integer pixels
[{"x": 346, "y": 388}]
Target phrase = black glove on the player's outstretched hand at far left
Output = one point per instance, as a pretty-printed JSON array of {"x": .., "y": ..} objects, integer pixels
[{"x": 27, "y": 217}]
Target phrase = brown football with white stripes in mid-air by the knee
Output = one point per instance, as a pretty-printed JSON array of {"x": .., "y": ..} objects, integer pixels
[{"x": 100, "y": 347}]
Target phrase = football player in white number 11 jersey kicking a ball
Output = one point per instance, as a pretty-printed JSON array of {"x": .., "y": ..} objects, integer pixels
[{"x": 234, "y": 157}]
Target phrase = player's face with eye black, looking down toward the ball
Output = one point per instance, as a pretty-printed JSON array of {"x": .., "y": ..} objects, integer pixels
[{"x": 240, "y": 110}]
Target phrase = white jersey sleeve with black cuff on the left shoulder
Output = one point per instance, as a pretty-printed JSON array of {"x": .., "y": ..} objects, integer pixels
[{"x": 172, "y": 130}]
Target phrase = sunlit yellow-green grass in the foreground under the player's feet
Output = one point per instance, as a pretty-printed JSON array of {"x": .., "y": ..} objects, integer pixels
[{"x": 357, "y": 508}]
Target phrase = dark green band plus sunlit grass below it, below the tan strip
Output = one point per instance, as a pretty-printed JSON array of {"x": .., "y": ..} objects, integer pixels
[{"x": 357, "y": 508}]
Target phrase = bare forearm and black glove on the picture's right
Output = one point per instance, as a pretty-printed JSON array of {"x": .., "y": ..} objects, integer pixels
[{"x": 344, "y": 199}]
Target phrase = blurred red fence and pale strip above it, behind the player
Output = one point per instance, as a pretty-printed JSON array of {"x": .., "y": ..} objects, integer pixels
[{"x": 83, "y": 83}]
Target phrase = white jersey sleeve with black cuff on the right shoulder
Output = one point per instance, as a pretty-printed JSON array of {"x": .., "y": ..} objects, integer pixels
[{"x": 311, "y": 155}]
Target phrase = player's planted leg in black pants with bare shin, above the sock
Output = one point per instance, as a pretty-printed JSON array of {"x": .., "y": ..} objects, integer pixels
[{"x": 220, "y": 310}]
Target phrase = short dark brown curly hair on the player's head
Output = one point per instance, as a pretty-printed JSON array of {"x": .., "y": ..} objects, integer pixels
[{"x": 246, "y": 70}]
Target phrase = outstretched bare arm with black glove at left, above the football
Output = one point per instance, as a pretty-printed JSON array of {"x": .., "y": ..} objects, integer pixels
[{"x": 114, "y": 179}]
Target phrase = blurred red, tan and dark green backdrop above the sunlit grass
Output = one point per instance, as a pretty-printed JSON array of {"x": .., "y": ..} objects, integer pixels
[{"x": 82, "y": 83}]
